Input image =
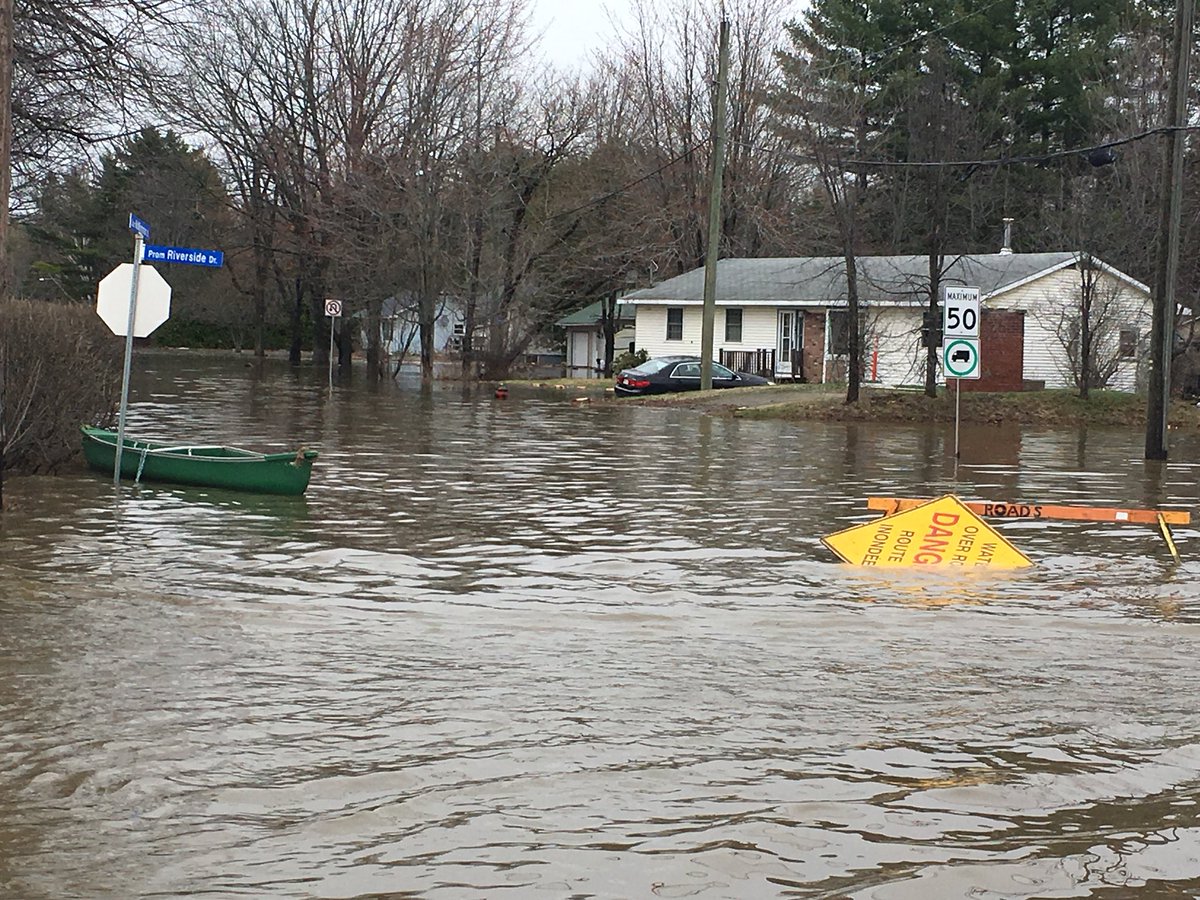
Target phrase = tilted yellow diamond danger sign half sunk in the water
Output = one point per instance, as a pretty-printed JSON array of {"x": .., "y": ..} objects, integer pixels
[{"x": 943, "y": 533}]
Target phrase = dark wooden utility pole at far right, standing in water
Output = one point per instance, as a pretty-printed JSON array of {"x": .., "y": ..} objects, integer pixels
[{"x": 1162, "y": 335}]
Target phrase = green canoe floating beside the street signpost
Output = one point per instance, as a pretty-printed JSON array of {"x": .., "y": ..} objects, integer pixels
[{"x": 206, "y": 466}]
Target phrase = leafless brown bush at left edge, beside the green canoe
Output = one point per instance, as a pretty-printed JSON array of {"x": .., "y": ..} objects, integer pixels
[{"x": 61, "y": 368}]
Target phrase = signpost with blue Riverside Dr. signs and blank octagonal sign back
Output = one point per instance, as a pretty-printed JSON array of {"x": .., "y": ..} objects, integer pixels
[{"x": 134, "y": 302}]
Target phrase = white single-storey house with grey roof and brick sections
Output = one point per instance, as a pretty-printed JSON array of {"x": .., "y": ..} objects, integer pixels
[{"x": 787, "y": 317}]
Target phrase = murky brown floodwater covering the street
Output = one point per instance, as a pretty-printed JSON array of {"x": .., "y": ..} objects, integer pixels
[{"x": 544, "y": 649}]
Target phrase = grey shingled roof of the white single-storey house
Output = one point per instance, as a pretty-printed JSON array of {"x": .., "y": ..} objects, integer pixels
[{"x": 823, "y": 280}]
